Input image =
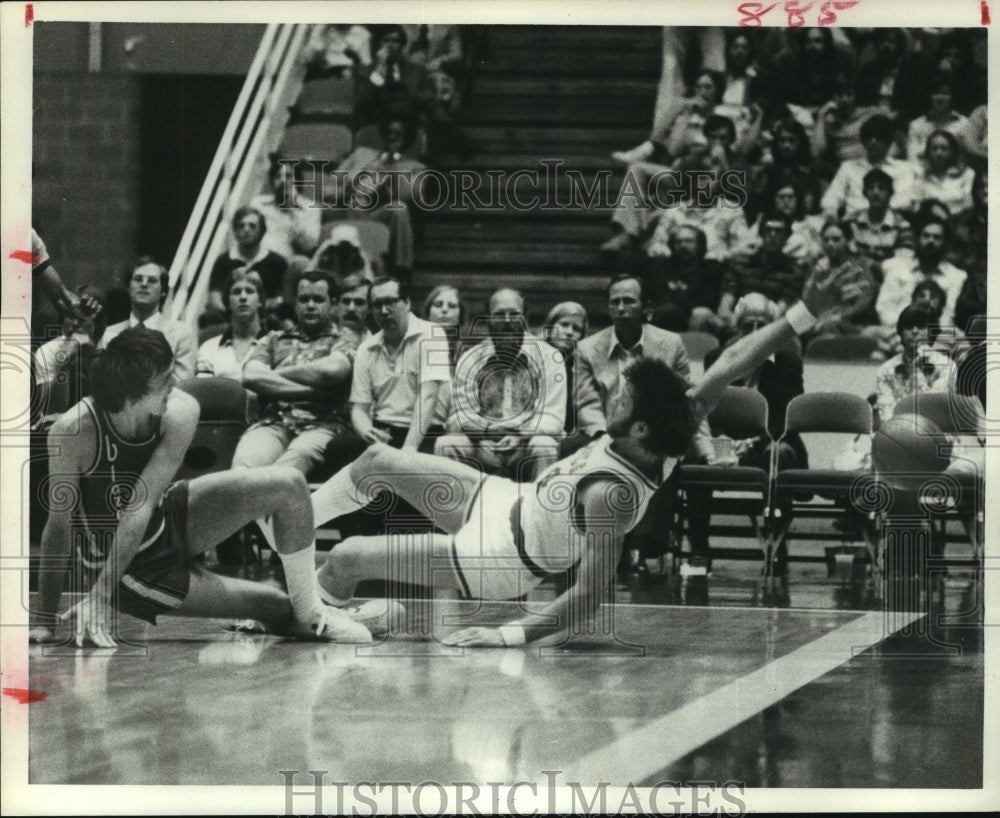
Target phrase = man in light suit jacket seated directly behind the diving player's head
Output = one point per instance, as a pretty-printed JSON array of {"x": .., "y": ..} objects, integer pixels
[{"x": 603, "y": 358}]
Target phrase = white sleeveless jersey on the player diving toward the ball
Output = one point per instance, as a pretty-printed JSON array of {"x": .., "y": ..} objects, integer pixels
[{"x": 550, "y": 511}]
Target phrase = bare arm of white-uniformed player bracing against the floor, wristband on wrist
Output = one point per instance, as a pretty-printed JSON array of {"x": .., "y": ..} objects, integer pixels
[{"x": 572, "y": 612}]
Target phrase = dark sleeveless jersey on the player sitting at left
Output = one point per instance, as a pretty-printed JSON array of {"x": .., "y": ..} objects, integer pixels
[{"x": 111, "y": 485}]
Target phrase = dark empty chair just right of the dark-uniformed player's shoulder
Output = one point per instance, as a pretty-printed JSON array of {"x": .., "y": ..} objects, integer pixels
[{"x": 227, "y": 408}]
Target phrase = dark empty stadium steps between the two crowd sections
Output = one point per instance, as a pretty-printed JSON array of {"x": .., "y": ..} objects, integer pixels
[{"x": 567, "y": 93}]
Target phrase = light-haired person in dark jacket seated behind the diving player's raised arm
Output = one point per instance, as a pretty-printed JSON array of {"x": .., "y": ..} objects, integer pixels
[{"x": 778, "y": 379}]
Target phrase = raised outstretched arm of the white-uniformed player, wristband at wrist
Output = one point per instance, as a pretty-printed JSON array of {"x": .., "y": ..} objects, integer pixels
[{"x": 826, "y": 296}]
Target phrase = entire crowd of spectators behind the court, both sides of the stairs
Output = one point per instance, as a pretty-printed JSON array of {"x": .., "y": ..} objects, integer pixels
[{"x": 844, "y": 161}]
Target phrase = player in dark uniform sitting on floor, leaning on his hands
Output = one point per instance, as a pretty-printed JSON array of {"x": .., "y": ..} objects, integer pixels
[{"x": 113, "y": 502}]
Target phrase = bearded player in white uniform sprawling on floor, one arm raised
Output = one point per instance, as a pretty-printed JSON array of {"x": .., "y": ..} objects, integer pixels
[{"x": 503, "y": 538}]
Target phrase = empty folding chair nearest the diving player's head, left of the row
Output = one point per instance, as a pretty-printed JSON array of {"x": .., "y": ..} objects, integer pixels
[{"x": 740, "y": 414}]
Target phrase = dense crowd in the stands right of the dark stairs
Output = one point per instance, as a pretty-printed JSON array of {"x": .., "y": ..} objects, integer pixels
[{"x": 863, "y": 148}]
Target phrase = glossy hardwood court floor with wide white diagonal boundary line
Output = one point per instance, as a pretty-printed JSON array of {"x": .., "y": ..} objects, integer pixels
[{"x": 769, "y": 697}]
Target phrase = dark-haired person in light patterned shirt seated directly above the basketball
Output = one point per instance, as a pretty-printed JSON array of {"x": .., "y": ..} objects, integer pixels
[{"x": 918, "y": 368}]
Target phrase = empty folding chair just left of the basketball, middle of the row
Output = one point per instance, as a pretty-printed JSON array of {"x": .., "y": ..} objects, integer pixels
[{"x": 795, "y": 489}]
